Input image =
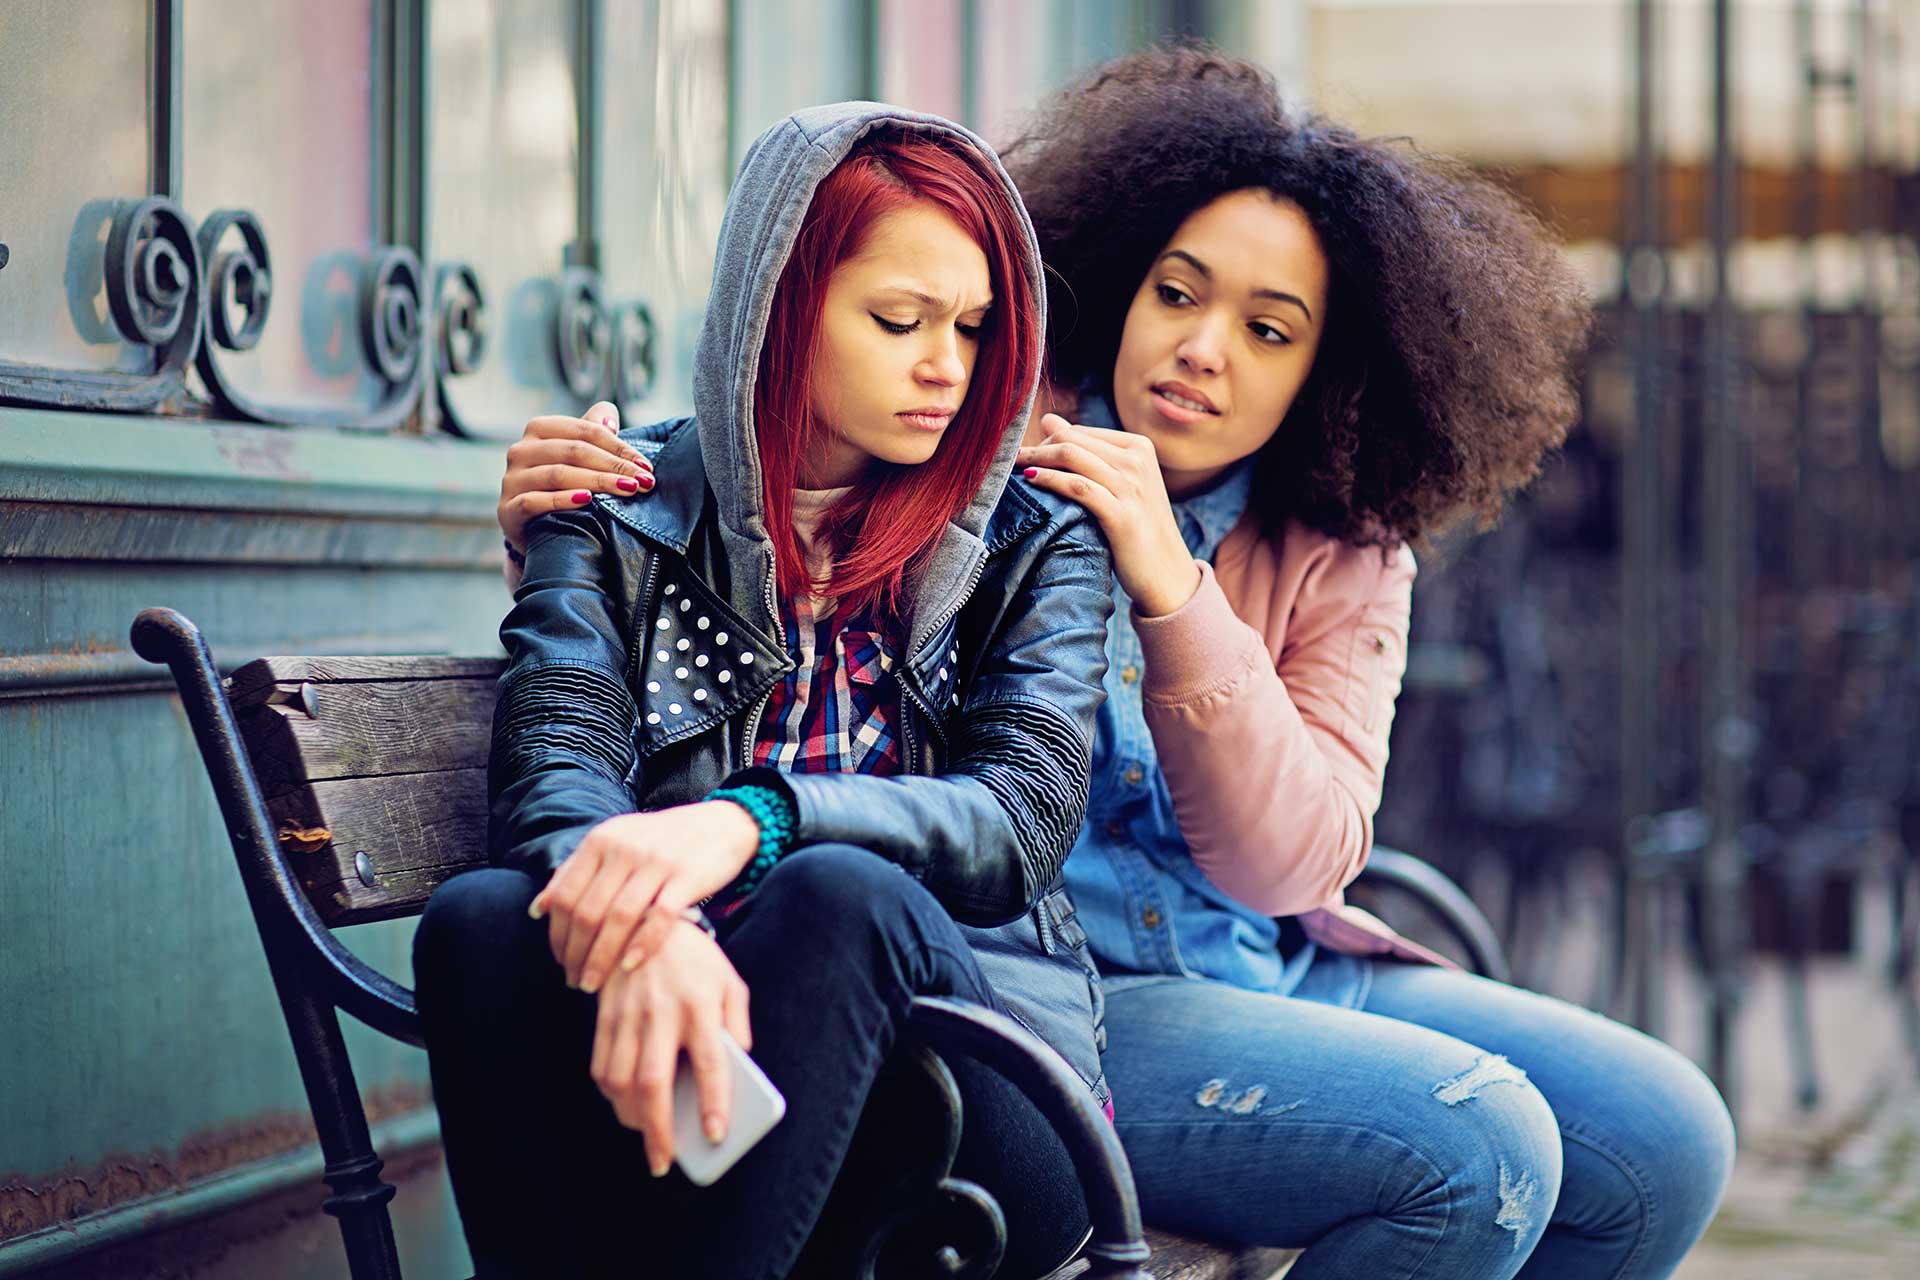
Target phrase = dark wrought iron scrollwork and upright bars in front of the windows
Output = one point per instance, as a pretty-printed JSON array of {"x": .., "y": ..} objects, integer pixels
[{"x": 201, "y": 298}]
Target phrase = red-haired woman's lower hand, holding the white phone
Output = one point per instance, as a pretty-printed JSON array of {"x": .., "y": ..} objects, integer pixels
[{"x": 686, "y": 997}]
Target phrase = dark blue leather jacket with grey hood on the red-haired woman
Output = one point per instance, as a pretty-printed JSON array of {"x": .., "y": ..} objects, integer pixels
[{"x": 644, "y": 646}]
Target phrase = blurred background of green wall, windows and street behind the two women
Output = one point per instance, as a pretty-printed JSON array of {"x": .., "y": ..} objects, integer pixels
[{"x": 279, "y": 281}]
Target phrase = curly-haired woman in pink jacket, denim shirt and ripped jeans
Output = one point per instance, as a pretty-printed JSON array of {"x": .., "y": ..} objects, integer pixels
[{"x": 1289, "y": 354}]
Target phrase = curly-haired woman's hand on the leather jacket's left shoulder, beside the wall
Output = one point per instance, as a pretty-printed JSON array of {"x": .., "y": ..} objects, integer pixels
[{"x": 560, "y": 463}]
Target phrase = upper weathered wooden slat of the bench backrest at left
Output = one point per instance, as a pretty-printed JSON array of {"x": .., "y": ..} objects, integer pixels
[{"x": 366, "y": 730}]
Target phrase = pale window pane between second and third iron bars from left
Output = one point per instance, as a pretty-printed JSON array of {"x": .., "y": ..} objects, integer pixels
[{"x": 504, "y": 151}]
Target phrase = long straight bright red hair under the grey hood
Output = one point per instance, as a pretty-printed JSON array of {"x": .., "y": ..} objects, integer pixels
[{"x": 894, "y": 519}]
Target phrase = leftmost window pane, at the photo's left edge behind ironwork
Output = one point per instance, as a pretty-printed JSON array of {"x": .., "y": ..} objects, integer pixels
[{"x": 76, "y": 137}]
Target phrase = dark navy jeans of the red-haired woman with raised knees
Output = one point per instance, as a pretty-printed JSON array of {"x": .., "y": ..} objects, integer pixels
[{"x": 834, "y": 945}]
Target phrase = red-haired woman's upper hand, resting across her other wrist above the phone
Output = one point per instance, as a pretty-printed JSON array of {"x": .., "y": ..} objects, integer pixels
[{"x": 617, "y": 899}]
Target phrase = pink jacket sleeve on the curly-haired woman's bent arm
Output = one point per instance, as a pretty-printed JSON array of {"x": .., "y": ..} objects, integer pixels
[{"x": 1276, "y": 769}]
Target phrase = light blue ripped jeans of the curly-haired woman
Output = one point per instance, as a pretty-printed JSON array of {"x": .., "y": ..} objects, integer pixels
[{"x": 1443, "y": 1127}]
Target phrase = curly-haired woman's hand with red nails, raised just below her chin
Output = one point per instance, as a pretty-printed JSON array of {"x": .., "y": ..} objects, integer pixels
[{"x": 1116, "y": 479}]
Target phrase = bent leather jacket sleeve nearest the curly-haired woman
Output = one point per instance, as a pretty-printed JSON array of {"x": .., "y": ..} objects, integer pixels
[{"x": 990, "y": 834}]
